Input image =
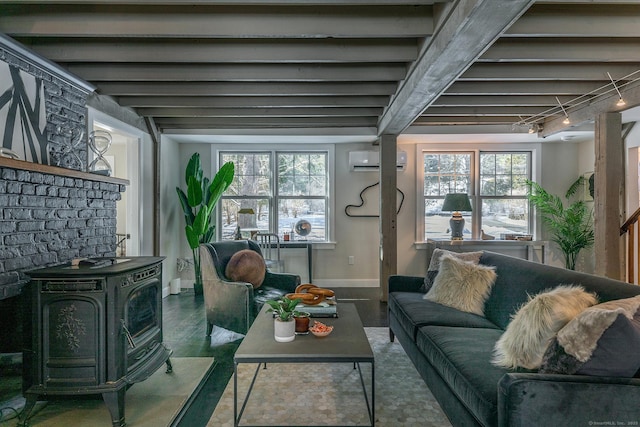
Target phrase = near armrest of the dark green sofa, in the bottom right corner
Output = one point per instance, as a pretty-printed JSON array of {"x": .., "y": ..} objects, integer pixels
[{"x": 526, "y": 399}]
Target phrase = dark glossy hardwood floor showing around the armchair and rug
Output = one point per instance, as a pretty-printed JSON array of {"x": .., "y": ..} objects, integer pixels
[{"x": 185, "y": 333}]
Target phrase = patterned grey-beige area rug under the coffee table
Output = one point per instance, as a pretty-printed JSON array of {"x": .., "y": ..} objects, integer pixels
[{"x": 331, "y": 394}]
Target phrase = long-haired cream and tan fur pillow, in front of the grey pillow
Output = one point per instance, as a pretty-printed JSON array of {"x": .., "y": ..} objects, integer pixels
[{"x": 536, "y": 323}]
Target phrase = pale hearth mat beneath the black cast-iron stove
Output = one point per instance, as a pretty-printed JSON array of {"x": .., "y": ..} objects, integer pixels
[{"x": 155, "y": 402}]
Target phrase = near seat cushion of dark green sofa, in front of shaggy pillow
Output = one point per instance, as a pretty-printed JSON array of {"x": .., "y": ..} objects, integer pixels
[{"x": 462, "y": 358}]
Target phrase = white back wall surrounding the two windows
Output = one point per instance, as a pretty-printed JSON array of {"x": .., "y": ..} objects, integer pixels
[{"x": 354, "y": 236}]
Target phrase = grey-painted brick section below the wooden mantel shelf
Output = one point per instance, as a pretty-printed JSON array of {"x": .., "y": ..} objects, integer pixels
[{"x": 47, "y": 219}]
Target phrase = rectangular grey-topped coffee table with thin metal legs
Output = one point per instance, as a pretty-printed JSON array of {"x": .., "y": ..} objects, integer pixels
[{"x": 347, "y": 343}]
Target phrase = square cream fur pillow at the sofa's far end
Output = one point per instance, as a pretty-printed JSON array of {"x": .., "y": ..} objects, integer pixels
[{"x": 462, "y": 285}]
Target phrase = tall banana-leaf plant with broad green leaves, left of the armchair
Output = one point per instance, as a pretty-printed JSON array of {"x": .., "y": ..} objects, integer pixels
[{"x": 198, "y": 204}]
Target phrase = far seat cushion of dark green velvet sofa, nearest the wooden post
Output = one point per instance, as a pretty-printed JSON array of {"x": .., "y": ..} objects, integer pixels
[{"x": 412, "y": 311}]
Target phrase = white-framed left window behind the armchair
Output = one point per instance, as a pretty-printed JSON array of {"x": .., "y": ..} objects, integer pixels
[{"x": 279, "y": 192}]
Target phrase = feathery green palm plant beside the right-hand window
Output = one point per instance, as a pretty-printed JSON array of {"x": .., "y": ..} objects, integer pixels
[{"x": 571, "y": 227}]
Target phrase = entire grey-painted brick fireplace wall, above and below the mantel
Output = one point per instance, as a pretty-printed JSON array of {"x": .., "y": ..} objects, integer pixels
[{"x": 46, "y": 217}]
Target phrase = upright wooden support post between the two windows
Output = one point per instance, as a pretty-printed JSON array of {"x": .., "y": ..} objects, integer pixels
[{"x": 388, "y": 215}]
